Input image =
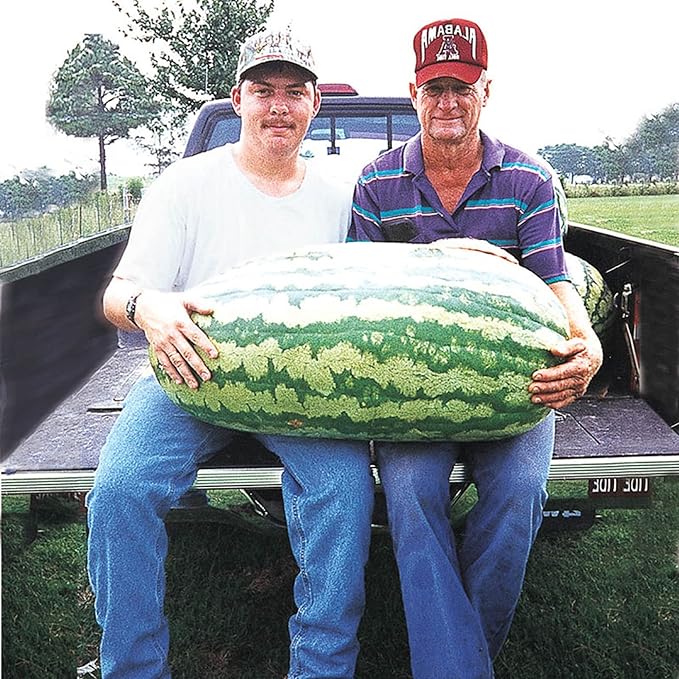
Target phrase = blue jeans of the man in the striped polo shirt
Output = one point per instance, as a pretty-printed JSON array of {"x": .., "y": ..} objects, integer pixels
[{"x": 459, "y": 599}]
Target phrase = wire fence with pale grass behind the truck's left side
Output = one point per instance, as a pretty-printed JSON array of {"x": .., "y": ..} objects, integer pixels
[{"x": 31, "y": 237}]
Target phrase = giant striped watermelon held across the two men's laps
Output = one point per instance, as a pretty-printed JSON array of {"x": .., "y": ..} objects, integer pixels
[{"x": 375, "y": 341}]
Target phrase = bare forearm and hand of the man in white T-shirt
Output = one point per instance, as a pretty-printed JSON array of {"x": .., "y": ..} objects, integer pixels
[{"x": 164, "y": 318}]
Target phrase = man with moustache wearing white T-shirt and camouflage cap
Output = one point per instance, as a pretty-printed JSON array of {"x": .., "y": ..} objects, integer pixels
[{"x": 203, "y": 215}]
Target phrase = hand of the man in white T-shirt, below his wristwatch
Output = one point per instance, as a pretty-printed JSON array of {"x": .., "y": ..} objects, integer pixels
[{"x": 164, "y": 318}]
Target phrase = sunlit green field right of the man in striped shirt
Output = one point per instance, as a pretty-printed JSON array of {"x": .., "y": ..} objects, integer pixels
[{"x": 651, "y": 217}]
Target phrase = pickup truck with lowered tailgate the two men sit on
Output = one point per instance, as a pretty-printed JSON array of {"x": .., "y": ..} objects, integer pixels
[{"x": 65, "y": 371}]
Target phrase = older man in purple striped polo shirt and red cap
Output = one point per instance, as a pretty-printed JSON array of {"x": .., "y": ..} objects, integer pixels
[{"x": 454, "y": 181}]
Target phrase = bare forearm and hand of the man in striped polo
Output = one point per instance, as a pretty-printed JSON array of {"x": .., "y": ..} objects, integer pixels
[{"x": 560, "y": 385}]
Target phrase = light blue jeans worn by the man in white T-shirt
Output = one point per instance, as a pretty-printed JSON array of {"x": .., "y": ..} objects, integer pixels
[{"x": 149, "y": 461}]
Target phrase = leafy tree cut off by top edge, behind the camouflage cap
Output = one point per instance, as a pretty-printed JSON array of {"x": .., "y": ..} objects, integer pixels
[{"x": 194, "y": 53}]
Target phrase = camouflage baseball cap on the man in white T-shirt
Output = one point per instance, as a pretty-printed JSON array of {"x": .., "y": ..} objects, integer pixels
[{"x": 274, "y": 45}]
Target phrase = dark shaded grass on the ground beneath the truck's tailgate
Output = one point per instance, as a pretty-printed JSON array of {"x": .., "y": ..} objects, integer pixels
[{"x": 598, "y": 604}]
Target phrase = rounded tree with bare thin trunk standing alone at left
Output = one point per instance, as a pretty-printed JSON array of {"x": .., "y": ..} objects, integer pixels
[{"x": 99, "y": 93}]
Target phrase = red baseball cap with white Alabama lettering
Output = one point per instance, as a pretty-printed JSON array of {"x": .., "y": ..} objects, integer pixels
[{"x": 451, "y": 48}]
